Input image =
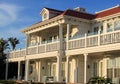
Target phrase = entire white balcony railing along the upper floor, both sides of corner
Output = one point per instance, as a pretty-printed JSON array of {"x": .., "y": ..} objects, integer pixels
[{"x": 78, "y": 42}]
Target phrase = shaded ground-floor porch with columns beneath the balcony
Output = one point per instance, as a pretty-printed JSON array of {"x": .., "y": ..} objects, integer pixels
[{"x": 72, "y": 69}]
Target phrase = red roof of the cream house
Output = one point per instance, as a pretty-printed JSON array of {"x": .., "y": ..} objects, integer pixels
[{"x": 85, "y": 15}]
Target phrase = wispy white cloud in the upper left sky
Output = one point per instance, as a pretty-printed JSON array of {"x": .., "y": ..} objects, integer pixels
[{"x": 8, "y": 13}]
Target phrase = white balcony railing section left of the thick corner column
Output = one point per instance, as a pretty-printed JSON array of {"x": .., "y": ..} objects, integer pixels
[{"x": 48, "y": 47}]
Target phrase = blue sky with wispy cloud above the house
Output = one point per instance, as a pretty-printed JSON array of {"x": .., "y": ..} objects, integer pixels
[{"x": 16, "y": 15}]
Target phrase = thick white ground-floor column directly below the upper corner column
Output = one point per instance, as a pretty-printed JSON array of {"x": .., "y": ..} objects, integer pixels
[{"x": 59, "y": 66}]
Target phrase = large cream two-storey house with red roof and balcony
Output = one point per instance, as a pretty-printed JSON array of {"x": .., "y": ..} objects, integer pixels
[{"x": 70, "y": 46}]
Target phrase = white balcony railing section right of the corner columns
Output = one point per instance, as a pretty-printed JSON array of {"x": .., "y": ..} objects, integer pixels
[{"x": 94, "y": 40}]
